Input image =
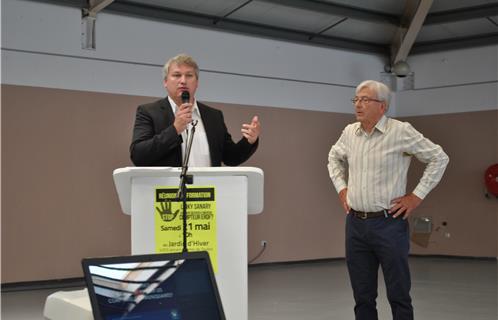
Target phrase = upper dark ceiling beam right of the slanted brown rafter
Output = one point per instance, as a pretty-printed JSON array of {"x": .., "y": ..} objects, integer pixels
[{"x": 468, "y": 13}]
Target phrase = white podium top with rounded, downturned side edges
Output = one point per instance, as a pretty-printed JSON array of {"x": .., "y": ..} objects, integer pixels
[{"x": 123, "y": 180}]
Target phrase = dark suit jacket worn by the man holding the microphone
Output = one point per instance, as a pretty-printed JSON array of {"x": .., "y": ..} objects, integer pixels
[{"x": 156, "y": 143}]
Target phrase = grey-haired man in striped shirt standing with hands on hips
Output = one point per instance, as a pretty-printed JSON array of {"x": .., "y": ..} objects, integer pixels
[{"x": 368, "y": 166}]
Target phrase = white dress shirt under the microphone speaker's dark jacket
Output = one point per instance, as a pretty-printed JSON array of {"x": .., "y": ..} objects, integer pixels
[{"x": 199, "y": 154}]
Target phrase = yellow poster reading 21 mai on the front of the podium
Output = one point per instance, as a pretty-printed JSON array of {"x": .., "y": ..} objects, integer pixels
[{"x": 201, "y": 221}]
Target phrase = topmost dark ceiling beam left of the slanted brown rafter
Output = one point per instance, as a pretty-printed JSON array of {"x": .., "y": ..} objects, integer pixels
[{"x": 338, "y": 10}]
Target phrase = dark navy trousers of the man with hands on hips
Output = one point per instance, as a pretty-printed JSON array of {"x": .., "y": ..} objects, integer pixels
[{"x": 372, "y": 242}]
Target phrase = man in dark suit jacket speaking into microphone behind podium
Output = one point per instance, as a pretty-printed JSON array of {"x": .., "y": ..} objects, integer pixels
[{"x": 161, "y": 126}]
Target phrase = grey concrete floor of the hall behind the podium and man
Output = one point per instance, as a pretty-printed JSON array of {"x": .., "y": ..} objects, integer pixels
[{"x": 442, "y": 289}]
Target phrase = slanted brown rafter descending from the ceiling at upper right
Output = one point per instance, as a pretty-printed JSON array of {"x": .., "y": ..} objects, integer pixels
[{"x": 412, "y": 21}]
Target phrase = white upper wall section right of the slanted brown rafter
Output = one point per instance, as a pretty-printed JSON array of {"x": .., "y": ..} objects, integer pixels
[{"x": 452, "y": 82}]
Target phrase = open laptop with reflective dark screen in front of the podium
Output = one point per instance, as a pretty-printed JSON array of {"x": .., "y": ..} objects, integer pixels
[{"x": 166, "y": 286}]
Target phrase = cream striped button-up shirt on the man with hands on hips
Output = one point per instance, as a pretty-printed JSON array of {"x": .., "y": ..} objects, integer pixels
[{"x": 377, "y": 163}]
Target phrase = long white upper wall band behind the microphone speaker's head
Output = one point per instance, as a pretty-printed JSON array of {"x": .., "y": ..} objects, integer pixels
[{"x": 41, "y": 47}]
